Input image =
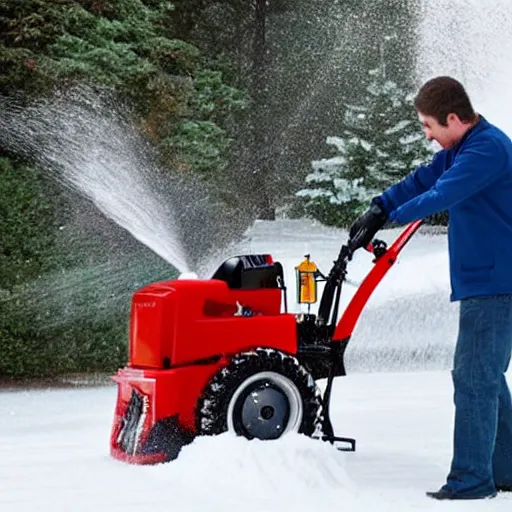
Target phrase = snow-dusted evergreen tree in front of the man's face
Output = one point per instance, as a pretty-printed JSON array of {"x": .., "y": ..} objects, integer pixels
[{"x": 381, "y": 143}]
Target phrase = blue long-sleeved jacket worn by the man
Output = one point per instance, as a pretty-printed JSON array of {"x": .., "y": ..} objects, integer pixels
[{"x": 473, "y": 181}]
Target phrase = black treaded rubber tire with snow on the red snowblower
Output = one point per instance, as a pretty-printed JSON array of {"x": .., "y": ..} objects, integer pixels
[{"x": 212, "y": 406}]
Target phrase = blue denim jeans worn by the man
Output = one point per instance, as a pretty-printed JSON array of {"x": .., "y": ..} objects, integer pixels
[{"x": 482, "y": 446}]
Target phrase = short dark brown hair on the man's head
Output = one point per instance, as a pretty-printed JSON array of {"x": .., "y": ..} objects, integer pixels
[{"x": 441, "y": 96}]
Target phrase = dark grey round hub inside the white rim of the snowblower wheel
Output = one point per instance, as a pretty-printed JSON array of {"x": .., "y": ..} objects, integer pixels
[{"x": 261, "y": 411}]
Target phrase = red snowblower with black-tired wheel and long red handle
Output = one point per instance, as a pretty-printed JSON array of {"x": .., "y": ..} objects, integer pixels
[{"x": 223, "y": 354}]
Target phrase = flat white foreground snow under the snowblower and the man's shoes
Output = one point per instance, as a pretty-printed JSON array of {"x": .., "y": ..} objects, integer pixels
[{"x": 54, "y": 454}]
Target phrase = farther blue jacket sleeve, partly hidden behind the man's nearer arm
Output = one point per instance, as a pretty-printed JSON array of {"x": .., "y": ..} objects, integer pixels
[{"x": 419, "y": 181}]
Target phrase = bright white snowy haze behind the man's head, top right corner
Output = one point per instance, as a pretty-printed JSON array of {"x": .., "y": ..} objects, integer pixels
[{"x": 470, "y": 40}]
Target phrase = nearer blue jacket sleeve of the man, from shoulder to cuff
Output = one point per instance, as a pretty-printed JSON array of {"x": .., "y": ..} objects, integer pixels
[{"x": 476, "y": 166}]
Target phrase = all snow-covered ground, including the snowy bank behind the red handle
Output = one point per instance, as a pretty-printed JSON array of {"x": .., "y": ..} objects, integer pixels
[{"x": 54, "y": 442}]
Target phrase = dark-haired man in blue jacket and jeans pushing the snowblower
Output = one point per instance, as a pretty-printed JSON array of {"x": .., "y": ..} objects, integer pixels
[{"x": 471, "y": 177}]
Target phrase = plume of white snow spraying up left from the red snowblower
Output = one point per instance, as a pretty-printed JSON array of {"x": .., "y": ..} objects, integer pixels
[{"x": 90, "y": 144}]
